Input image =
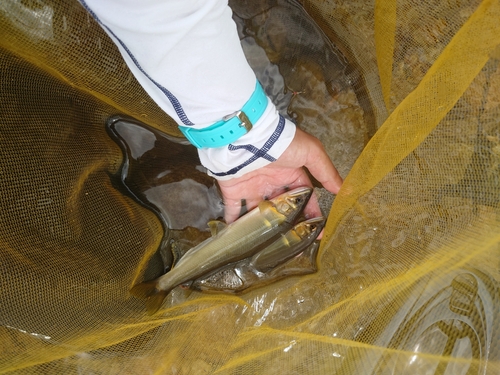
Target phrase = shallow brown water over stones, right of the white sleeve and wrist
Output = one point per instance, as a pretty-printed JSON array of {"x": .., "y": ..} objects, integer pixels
[{"x": 305, "y": 75}]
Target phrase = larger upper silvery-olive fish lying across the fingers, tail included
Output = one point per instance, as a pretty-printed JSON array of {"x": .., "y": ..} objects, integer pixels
[{"x": 238, "y": 240}]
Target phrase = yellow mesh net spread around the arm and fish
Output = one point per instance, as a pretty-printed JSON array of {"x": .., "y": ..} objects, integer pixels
[{"x": 408, "y": 270}]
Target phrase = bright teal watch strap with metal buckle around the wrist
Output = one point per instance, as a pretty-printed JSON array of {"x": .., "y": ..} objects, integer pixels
[{"x": 231, "y": 127}]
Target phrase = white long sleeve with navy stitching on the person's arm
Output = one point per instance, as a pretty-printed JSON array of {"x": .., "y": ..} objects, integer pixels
[{"x": 188, "y": 57}]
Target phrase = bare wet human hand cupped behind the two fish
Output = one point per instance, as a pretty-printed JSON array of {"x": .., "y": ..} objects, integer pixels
[{"x": 285, "y": 173}]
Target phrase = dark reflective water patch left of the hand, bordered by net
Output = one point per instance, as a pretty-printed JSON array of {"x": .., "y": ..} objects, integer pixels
[{"x": 164, "y": 174}]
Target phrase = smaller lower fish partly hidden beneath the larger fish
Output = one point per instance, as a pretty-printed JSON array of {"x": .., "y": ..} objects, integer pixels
[{"x": 269, "y": 264}]
